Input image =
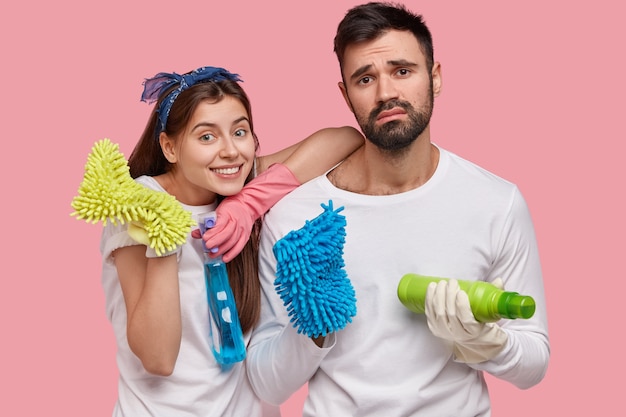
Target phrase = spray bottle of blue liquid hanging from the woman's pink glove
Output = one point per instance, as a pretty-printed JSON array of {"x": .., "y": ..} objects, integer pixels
[{"x": 226, "y": 335}]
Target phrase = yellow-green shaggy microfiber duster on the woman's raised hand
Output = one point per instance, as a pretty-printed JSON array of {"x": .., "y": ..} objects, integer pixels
[{"x": 108, "y": 193}]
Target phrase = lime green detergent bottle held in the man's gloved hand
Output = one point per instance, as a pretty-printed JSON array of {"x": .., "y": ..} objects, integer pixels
[{"x": 488, "y": 302}]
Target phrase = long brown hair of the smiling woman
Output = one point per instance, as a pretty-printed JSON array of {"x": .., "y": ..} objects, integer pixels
[{"x": 147, "y": 159}]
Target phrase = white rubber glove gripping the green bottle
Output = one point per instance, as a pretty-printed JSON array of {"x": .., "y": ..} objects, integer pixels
[{"x": 450, "y": 317}]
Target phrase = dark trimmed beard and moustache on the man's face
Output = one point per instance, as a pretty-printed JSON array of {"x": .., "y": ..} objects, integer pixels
[{"x": 397, "y": 134}]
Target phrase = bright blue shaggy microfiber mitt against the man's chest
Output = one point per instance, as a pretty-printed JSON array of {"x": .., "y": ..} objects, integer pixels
[{"x": 310, "y": 275}]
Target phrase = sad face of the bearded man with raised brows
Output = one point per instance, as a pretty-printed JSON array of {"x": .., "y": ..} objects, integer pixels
[{"x": 389, "y": 89}]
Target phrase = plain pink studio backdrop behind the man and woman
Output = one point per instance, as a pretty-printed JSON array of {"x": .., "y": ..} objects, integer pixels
[{"x": 533, "y": 91}]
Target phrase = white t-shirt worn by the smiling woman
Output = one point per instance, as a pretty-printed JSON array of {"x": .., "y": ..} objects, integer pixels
[{"x": 198, "y": 387}]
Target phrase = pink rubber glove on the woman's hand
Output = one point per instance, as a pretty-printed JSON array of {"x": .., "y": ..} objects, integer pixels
[{"x": 236, "y": 214}]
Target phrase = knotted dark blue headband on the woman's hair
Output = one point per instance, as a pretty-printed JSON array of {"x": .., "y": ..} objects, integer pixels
[{"x": 155, "y": 86}]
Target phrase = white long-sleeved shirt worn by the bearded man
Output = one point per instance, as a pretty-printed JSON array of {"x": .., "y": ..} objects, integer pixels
[{"x": 464, "y": 223}]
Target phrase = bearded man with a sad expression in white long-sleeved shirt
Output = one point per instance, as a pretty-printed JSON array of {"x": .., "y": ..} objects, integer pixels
[{"x": 410, "y": 207}]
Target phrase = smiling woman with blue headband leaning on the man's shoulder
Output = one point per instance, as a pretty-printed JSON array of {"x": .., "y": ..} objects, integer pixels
[{"x": 199, "y": 146}]
